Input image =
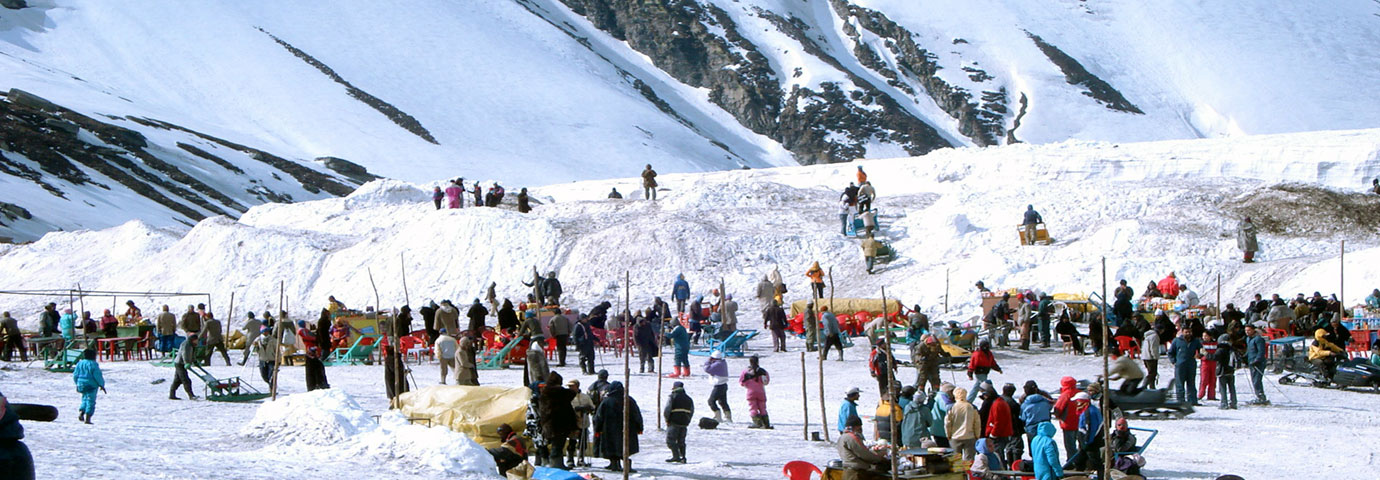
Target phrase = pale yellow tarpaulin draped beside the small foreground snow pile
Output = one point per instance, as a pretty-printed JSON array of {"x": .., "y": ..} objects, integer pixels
[{"x": 477, "y": 412}]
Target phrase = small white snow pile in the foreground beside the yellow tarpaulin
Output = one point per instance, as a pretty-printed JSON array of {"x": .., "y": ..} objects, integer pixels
[{"x": 331, "y": 423}]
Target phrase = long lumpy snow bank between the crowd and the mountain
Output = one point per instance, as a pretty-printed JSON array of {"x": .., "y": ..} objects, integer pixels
[{"x": 1149, "y": 209}]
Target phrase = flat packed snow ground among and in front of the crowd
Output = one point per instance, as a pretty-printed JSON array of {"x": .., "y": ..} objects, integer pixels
[{"x": 139, "y": 434}]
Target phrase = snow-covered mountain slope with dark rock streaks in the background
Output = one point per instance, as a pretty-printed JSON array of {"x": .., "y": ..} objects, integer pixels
[{"x": 241, "y": 104}]
